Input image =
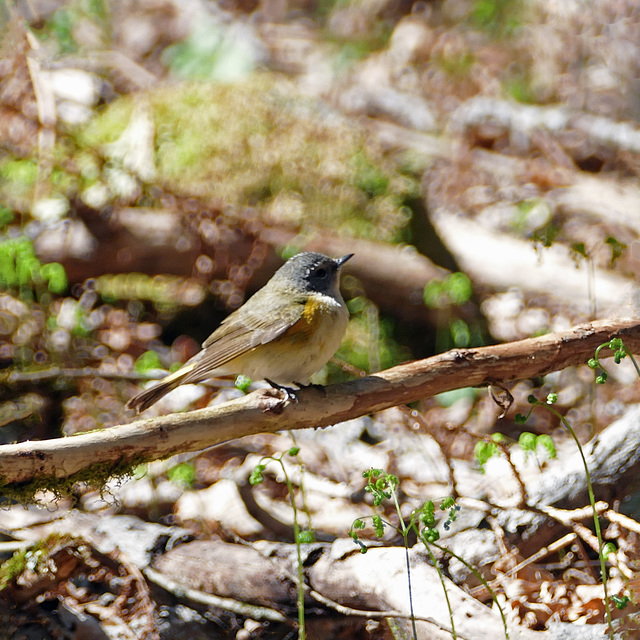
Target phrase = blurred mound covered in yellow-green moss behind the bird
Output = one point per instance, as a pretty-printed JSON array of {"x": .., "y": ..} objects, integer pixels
[{"x": 260, "y": 144}]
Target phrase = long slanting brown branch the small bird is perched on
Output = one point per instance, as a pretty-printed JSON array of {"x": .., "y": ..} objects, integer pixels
[{"x": 263, "y": 411}]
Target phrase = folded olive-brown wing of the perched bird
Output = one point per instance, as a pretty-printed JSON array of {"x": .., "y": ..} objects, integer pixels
[{"x": 241, "y": 332}]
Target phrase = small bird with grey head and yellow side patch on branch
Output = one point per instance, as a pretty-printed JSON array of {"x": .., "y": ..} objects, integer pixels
[{"x": 284, "y": 333}]
